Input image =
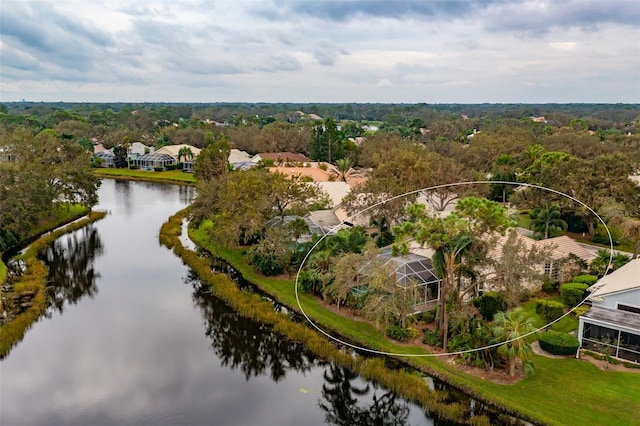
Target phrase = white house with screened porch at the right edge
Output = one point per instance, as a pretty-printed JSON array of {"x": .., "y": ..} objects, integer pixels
[{"x": 612, "y": 324}]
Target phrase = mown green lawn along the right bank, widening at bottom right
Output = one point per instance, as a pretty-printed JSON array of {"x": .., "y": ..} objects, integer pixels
[{"x": 559, "y": 392}]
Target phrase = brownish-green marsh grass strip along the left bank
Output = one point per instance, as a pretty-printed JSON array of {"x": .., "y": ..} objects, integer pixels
[{"x": 33, "y": 283}]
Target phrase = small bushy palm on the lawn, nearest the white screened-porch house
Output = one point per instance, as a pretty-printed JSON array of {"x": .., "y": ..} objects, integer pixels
[{"x": 511, "y": 328}]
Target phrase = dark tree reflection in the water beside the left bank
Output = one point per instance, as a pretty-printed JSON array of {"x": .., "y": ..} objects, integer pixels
[{"x": 70, "y": 261}]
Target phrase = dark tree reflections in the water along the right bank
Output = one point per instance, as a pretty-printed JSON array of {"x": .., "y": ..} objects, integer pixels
[{"x": 256, "y": 350}]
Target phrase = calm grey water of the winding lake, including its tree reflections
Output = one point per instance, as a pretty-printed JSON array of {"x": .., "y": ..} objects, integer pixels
[{"x": 133, "y": 338}]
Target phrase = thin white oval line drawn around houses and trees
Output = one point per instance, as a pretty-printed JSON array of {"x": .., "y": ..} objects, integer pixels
[{"x": 478, "y": 182}]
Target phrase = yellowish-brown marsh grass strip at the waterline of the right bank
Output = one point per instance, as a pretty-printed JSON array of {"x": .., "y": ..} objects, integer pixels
[{"x": 408, "y": 383}]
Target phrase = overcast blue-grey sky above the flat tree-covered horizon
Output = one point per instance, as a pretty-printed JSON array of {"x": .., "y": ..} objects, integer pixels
[{"x": 529, "y": 51}]
